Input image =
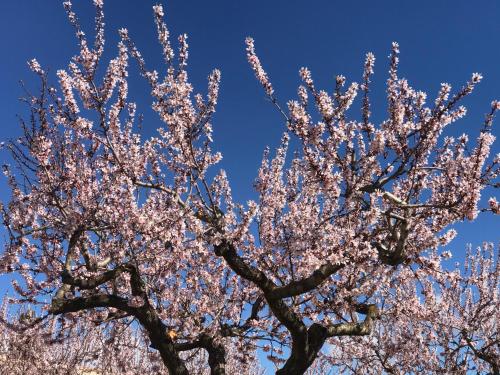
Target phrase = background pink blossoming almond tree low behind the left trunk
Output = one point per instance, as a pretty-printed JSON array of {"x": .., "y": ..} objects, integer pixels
[{"x": 28, "y": 347}]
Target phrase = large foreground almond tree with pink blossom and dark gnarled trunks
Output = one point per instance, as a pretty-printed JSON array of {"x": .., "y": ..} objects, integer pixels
[{"x": 109, "y": 227}]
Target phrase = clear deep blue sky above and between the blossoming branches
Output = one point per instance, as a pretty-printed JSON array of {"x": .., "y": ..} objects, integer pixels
[{"x": 440, "y": 41}]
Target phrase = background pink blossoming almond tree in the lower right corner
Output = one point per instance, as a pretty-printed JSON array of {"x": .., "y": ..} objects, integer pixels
[{"x": 454, "y": 330}]
